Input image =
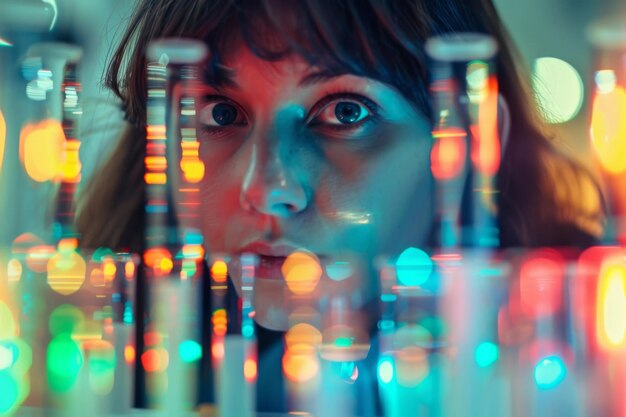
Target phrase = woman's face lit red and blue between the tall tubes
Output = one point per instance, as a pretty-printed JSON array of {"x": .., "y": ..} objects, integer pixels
[{"x": 298, "y": 159}]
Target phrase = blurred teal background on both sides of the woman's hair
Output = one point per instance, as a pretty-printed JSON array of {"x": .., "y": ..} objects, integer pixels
[{"x": 551, "y": 36}]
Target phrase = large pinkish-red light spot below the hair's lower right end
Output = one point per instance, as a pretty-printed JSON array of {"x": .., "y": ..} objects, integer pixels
[{"x": 541, "y": 283}]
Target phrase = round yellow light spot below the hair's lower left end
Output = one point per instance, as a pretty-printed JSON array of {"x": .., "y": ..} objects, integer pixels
[{"x": 66, "y": 272}]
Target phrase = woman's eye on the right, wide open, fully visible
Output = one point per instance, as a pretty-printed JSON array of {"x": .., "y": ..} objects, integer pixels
[{"x": 344, "y": 111}]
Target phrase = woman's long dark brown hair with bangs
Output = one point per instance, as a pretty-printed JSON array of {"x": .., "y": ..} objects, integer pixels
[{"x": 381, "y": 39}]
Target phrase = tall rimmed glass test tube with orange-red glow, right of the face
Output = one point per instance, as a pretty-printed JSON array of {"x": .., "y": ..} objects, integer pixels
[{"x": 466, "y": 149}]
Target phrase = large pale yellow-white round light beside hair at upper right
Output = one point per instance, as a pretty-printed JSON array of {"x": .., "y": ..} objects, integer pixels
[{"x": 558, "y": 88}]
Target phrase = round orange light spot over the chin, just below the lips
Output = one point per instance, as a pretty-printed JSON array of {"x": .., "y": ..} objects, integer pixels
[{"x": 302, "y": 272}]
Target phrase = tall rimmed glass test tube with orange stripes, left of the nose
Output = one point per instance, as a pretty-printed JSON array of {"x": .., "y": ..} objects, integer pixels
[{"x": 172, "y": 264}]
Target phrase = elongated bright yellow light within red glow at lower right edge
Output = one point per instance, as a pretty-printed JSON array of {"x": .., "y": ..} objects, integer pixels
[{"x": 611, "y": 305}]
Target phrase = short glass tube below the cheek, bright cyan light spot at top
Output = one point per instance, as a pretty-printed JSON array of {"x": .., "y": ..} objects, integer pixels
[{"x": 413, "y": 353}]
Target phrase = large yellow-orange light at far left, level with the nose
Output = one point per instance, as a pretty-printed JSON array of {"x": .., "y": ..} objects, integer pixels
[{"x": 41, "y": 150}]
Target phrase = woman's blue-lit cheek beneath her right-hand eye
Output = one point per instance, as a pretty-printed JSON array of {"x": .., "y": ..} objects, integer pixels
[{"x": 386, "y": 190}]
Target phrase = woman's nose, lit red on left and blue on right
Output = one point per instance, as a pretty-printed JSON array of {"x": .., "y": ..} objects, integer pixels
[{"x": 272, "y": 184}]
